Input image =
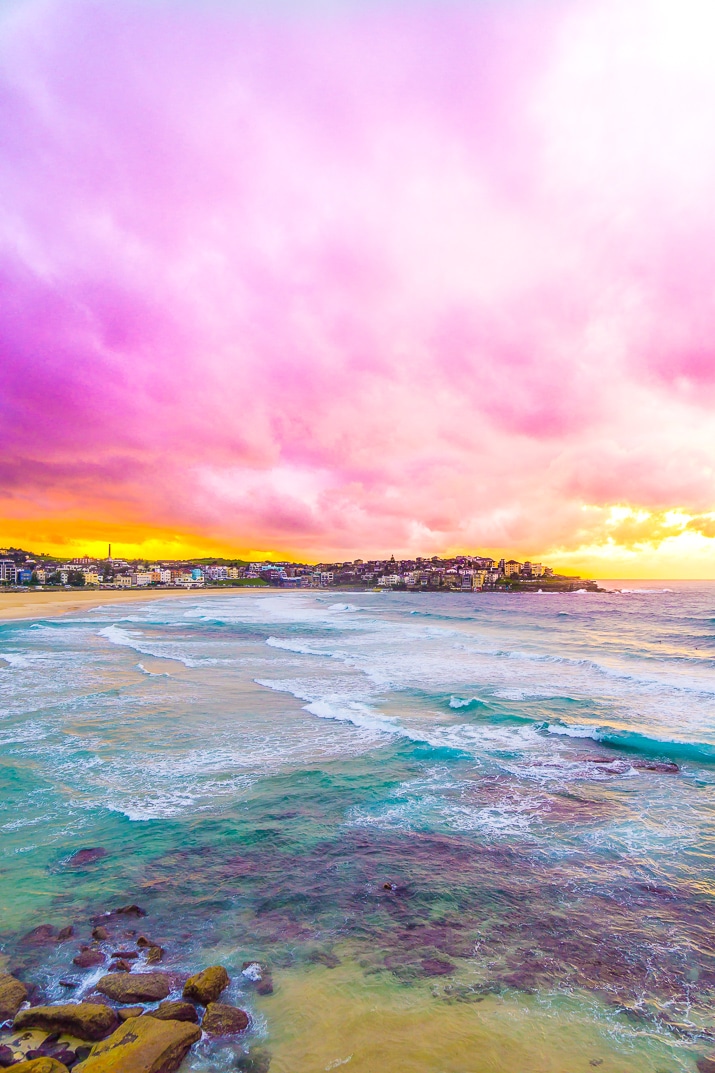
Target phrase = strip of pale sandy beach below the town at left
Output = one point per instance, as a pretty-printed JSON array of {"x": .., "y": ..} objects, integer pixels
[{"x": 53, "y": 605}]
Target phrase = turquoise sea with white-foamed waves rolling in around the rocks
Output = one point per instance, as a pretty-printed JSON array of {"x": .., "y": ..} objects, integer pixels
[{"x": 465, "y": 833}]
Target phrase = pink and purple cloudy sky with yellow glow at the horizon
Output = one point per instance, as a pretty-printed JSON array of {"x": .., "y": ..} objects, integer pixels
[{"x": 328, "y": 281}]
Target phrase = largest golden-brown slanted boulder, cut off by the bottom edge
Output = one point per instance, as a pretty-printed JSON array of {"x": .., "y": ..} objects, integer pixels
[{"x": 142, "y": 1046}]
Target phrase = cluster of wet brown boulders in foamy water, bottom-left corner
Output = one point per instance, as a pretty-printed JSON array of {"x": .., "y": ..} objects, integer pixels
[{"x": 135, "y": 1019}]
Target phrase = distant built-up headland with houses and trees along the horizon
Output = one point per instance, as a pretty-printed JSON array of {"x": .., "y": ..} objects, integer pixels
[{"x": 462, "y": 574}]
